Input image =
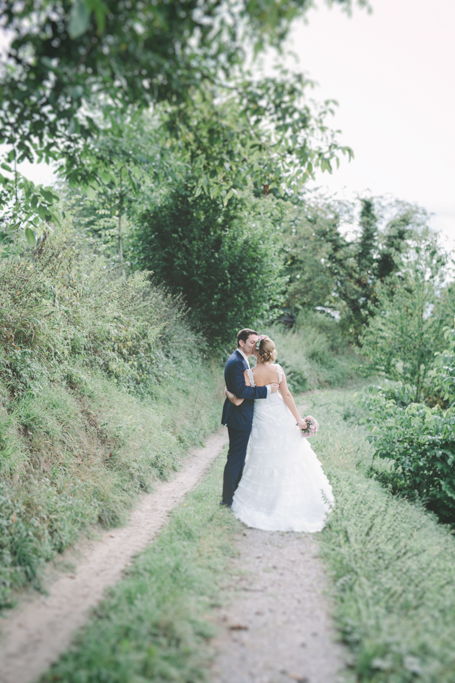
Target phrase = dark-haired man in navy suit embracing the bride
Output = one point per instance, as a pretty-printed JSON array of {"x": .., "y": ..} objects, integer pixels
[{"x": 239, "y": 419}]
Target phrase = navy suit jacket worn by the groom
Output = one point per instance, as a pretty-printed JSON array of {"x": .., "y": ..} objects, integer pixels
[{"x": 239, "y": 417}]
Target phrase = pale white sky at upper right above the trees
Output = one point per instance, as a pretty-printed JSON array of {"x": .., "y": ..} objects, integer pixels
[{"x": 393, "y": 74}]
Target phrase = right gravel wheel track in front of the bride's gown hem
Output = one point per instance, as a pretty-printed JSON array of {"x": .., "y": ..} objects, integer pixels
[{"x": 277, "y": 628}]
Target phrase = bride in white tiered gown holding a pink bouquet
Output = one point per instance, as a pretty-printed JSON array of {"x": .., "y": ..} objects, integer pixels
[{"x": 283, "y": 487}]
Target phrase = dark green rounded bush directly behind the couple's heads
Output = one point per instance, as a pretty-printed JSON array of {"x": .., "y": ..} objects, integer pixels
[{"x": 224, "y": 260}]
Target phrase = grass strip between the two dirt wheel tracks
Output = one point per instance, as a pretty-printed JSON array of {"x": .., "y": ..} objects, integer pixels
[{"x": 153, "y": 626}]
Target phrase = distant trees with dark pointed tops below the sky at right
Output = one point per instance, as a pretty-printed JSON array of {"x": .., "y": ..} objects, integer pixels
[{"x": 339, "y": 253}]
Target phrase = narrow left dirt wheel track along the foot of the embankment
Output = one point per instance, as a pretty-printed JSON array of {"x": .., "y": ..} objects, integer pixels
[{"x": 37, "y": 632}]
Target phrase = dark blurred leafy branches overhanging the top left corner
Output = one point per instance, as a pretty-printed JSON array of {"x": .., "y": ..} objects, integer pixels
[{"x": 64, "y": 54}]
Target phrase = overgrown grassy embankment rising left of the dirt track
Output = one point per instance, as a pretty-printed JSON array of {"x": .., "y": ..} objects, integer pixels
[{"x": 103, "y": 387}]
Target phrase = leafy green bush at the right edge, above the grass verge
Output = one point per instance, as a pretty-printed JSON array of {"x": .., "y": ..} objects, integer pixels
[{"x": 417, "y": 439}]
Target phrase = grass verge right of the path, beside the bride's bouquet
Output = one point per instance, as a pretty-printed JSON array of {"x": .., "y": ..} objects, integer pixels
[{"x": 392, "y": 564}]
